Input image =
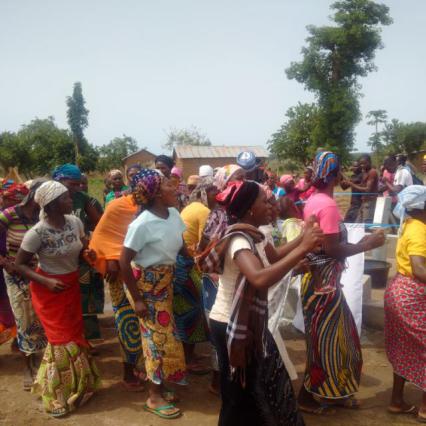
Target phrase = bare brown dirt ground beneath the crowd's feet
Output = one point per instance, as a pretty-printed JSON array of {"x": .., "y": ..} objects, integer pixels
[{"x": 114, "y": 406}]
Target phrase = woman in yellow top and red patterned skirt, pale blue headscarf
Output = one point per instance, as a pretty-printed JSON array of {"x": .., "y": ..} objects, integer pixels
[{"x": 405, "y": 302}]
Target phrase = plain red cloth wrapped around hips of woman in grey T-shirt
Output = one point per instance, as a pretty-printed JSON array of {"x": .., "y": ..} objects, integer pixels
[{"x": 60, "y": 313}]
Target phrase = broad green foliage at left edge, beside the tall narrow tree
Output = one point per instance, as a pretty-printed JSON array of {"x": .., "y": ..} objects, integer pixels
[{"x": 37, "y": 148}]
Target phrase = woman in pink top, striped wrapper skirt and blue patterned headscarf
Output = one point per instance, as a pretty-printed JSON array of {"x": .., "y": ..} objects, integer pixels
[{"x": 334, "y": 360}]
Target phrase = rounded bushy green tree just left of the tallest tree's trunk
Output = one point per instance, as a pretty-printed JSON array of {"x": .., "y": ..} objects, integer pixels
[{"x": 295, "y": 140}]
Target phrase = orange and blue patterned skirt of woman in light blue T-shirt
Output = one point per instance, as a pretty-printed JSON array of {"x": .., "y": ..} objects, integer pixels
[{"x": 163, "y": 351}]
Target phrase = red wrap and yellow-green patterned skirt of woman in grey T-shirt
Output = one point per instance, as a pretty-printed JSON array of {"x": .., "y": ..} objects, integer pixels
[{"x": 67, "y": 376}]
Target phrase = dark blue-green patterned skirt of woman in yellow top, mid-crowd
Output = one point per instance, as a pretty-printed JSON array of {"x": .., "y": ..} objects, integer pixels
[{"x": 187, "y": 303}]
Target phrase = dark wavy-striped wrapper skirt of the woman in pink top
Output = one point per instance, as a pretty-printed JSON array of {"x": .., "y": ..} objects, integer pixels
[{"x": 334, "y": 358}]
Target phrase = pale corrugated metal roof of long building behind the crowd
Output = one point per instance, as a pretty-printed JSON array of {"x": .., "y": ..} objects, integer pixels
[{"x": 194, "y": 151}]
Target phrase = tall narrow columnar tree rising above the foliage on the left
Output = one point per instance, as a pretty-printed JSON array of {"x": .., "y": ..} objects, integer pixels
[{"x": 77, "y": 114}]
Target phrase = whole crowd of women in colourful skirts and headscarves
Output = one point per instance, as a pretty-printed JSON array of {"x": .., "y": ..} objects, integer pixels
[{"x": 207, "y": 260}]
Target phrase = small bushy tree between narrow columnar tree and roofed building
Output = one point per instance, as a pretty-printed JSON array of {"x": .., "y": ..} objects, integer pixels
[{"x": 111, "y": 155}]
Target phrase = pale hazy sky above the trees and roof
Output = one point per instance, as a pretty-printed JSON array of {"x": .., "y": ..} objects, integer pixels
[{"x": 149, "y": 66}]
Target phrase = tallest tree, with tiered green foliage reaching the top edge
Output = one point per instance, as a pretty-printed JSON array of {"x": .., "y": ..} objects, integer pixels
[{"x": 333, "y": 60}]
